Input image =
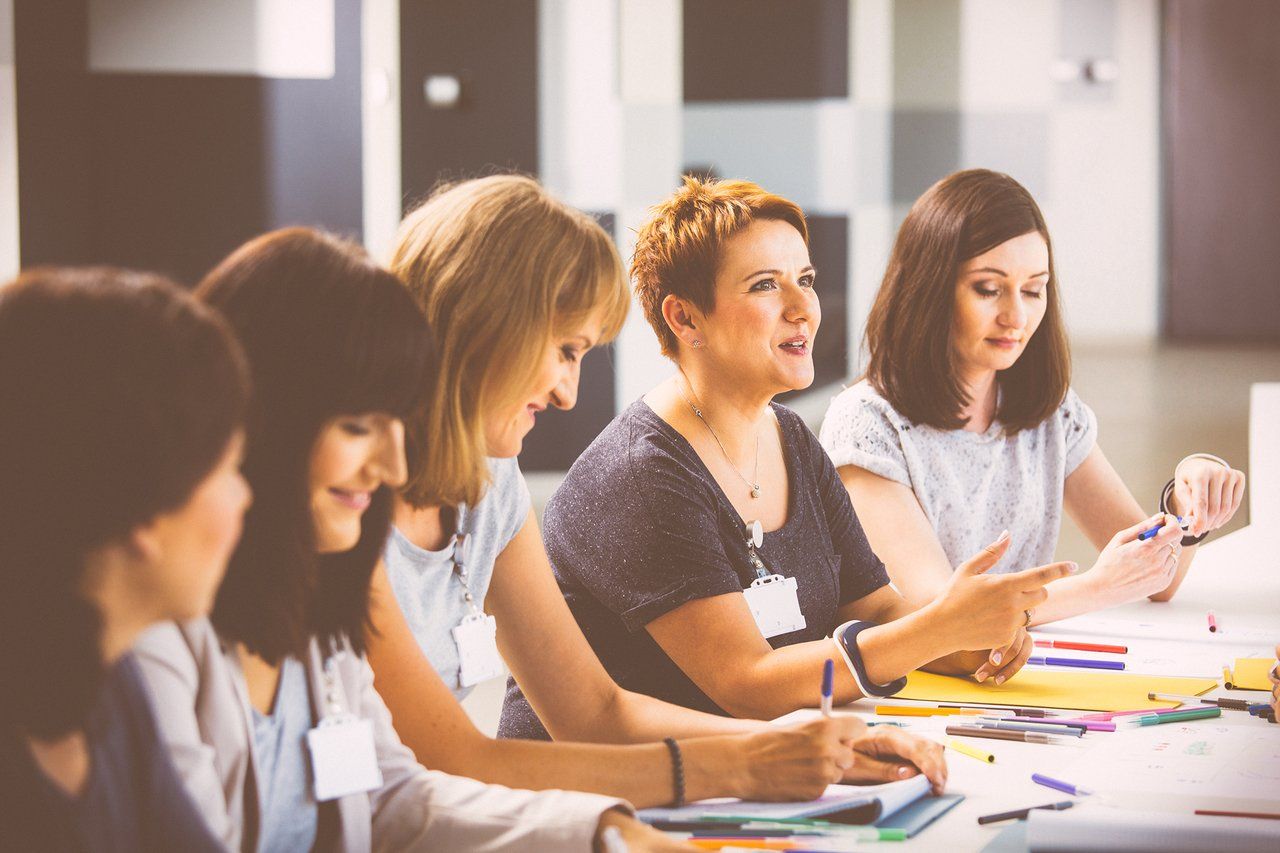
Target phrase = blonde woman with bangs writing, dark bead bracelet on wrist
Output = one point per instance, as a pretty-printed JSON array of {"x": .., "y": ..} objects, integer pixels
[{"x": 518, "y": 288}]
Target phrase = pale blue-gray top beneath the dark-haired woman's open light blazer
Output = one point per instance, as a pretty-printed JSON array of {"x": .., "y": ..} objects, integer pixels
[{"x": 290, "y": 810}]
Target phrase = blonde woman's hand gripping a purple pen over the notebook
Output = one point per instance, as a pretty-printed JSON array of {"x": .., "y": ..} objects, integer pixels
[{"x": 798, "y": 763}]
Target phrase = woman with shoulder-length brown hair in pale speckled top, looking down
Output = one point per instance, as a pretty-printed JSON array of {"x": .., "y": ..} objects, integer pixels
[{"x": 966, "y": 423}]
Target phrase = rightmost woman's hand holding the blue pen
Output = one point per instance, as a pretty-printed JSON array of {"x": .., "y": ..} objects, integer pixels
[{"x": 1130, "y": 568}]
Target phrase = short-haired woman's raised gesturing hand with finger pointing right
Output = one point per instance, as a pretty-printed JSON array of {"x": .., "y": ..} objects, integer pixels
[{"x": 984, "y": 612}]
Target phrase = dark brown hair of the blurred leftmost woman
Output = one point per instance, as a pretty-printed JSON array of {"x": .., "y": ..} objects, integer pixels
[{"x": 121, "y": 395}]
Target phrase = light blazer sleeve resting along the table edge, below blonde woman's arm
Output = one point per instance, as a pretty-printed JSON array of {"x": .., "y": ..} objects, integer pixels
[{"x": 419, "y": 809}]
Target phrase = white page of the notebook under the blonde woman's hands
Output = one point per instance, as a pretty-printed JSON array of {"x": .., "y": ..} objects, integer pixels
[{"x": 877, "y": 800}]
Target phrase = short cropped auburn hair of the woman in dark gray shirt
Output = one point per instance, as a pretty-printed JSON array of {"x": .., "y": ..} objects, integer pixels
[{"x": 678, "y": 249}]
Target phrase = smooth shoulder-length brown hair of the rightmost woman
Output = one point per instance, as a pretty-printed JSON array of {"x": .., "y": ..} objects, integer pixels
[{"x": 909, "y": 329}]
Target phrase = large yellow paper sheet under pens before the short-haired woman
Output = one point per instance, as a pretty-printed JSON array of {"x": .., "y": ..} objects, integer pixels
[{"x": 1057, "y": 690}]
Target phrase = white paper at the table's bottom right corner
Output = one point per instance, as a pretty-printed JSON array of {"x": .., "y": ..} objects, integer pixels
[{"x": 1103, "y": 831}]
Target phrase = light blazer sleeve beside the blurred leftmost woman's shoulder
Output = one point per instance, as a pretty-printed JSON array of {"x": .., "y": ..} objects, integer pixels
[{"x": 173, "y": 682}]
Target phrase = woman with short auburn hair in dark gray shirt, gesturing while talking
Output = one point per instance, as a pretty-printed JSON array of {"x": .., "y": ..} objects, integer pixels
[{"x": 703, "y": 541}]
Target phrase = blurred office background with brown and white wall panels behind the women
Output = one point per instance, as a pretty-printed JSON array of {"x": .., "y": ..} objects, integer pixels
[{"x": 161, "y": 134}]
